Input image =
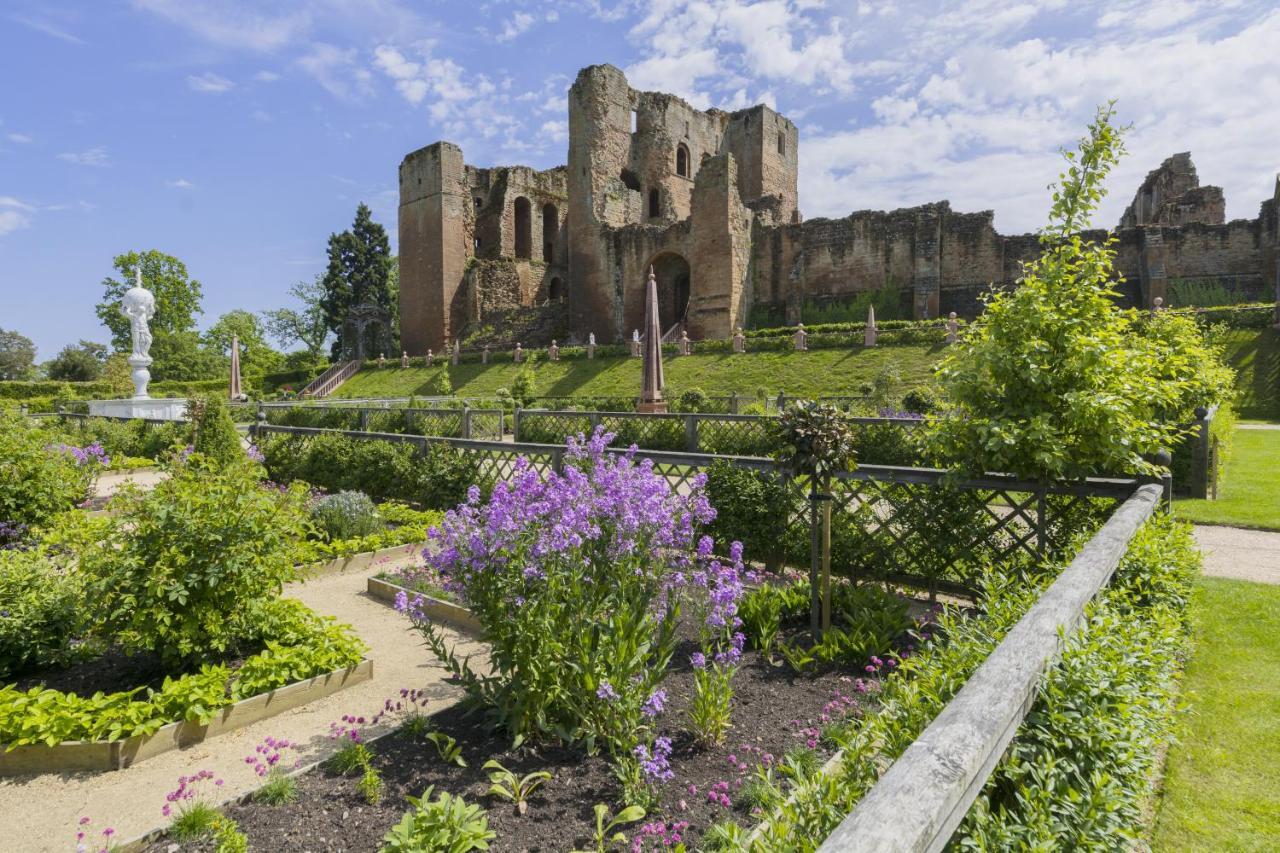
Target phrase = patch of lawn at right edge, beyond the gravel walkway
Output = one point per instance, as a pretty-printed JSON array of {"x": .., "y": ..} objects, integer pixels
[{"x": 1249, "y": 490}]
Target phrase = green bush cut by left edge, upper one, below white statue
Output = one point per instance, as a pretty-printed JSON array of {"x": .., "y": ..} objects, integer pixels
[{"x": 39, "y": 482}]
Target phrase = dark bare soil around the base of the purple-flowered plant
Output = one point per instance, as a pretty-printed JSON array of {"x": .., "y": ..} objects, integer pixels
[{"x": 771, "y": 710}]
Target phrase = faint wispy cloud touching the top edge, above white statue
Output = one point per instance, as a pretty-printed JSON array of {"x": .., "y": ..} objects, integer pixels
[{"x": 232, "y": 25}]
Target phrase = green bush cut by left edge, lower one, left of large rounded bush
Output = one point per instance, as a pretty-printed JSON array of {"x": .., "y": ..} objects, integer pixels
[{"x": 43, "y": 612}]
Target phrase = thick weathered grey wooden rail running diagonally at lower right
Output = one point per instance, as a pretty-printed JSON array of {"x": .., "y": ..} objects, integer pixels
[{"x": 924, "y": 797}]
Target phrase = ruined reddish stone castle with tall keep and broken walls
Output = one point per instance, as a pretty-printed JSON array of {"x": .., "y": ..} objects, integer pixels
[{"x": 708, "y": 199}]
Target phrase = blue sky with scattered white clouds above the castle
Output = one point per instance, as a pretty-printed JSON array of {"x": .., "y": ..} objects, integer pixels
[{"x": 237, "y": 135}]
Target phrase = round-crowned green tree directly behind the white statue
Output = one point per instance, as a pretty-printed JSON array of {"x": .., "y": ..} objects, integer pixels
[{"x": 177, "y": 297}]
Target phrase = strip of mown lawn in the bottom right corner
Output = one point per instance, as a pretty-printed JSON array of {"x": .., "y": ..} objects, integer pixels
[{"x": 1223, "y": 777}]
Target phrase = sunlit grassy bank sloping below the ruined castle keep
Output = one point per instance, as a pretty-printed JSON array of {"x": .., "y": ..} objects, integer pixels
[{"x": 819, "y": 372}]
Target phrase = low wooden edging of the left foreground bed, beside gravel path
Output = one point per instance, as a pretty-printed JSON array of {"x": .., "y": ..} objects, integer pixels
[{"x": 117, "y": 755}]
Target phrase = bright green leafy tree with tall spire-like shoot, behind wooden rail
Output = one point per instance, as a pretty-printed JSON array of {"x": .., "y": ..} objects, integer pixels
[{"x": 1055, "y": 382}]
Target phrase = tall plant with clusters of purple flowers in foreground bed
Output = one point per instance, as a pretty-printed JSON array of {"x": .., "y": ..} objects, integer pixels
[{"x": 578, "y": 578}]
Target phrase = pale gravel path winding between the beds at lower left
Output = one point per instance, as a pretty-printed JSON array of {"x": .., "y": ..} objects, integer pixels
[{"x": 42, "y": 813}]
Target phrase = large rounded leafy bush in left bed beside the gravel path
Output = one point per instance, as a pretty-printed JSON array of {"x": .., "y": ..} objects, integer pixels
[{"x": 176, "y": 568}]
